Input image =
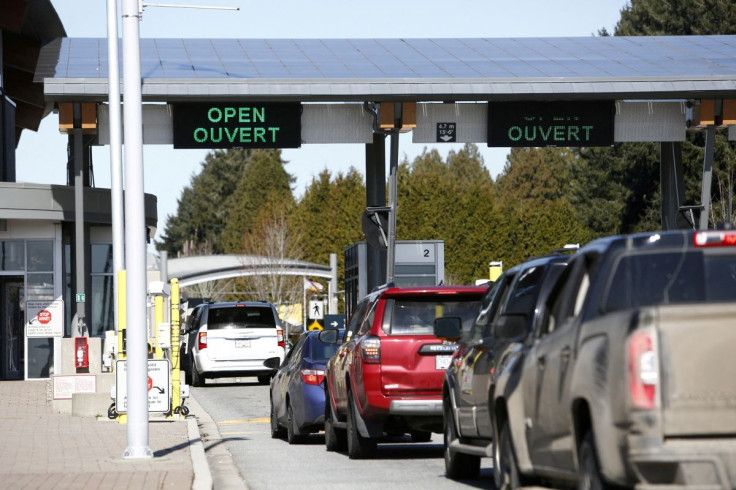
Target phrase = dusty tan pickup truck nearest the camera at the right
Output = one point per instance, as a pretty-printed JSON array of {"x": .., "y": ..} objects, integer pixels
[{"x": 630, "y": 378}]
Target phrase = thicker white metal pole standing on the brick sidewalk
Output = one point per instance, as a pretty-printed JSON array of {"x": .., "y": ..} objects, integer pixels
[{"x": 135, "y": 239}]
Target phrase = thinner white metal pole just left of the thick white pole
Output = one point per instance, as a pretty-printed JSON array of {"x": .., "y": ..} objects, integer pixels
[{"x": 116, "y": 164}]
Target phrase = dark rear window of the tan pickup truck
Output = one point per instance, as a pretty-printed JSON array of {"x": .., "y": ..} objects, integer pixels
[{"x": 671, "y": 278}]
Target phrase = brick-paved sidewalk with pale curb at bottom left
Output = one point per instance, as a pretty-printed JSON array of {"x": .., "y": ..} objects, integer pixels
[{"x": 41, "y": 449}]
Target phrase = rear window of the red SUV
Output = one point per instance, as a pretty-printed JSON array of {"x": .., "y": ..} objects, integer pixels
[{"x": 416, "y": 316}]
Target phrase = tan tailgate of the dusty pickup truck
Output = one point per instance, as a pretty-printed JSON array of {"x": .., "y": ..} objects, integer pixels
[{"x": 698, "y": 369}]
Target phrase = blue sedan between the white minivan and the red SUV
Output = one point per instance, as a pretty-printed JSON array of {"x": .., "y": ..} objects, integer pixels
[{"x": 297, "y": 390}]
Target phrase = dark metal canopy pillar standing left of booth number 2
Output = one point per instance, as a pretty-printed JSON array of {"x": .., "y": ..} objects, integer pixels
[{"x": 375, "y": 196}]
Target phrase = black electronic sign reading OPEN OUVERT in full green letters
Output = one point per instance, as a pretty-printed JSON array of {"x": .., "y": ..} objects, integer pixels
[{"x": 237, "y": 125}]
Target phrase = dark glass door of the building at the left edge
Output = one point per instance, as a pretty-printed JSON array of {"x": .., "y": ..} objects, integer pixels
[{"x": 12, "y": 324}]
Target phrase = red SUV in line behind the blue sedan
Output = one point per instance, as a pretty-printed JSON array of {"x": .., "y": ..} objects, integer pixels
[{"x": 386, "y": 377}]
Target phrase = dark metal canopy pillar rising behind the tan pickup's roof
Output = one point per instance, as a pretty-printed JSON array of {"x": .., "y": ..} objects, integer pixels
[{"x": 672, "y": 186}]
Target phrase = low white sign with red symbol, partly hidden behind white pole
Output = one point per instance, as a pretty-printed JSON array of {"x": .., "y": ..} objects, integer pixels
[{"x": 158, "y": 384}]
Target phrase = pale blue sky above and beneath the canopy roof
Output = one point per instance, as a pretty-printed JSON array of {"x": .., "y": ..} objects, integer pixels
[{"x": 41, "y": 156}]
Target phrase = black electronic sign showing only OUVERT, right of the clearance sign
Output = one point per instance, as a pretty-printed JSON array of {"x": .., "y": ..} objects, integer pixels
[{"x": 558, "y": 123}]
